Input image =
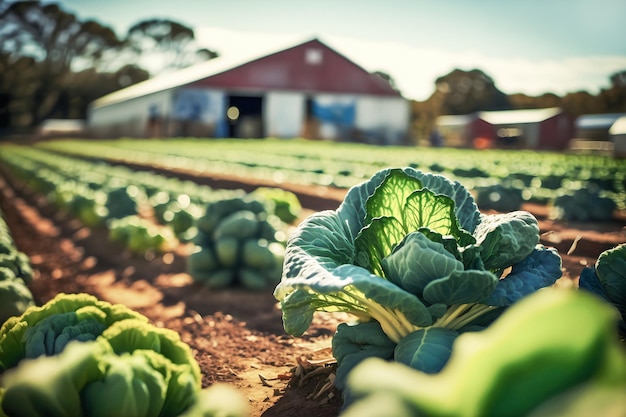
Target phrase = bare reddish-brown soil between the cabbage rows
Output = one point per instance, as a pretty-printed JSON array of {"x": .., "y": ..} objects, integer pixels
[{"x": 236, "y": 335}]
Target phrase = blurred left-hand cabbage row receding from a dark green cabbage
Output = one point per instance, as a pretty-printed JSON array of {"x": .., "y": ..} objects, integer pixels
[{"x": 237, "y": 238}]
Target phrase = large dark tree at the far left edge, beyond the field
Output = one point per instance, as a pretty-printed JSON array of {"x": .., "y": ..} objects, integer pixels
[{"x": 46, "y": 43}]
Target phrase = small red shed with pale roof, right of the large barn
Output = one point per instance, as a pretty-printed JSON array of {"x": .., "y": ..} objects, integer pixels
[{"x": 548, "y": 128}]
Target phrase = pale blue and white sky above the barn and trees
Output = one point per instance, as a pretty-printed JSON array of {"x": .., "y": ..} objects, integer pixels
[{"x": 525, "y": 46}]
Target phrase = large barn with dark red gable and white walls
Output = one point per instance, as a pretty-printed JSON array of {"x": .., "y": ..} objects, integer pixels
[{"x": 308, "y": 90}]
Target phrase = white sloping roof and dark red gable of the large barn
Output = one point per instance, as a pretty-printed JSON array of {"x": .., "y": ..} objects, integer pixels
[{"x": 311, "y": 66}]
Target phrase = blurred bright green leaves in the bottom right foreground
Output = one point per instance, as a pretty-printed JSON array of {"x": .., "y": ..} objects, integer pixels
[{"x": 547, "y": 351}]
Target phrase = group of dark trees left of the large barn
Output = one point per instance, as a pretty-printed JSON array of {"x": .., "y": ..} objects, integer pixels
[{"x": 52, "y": 64}]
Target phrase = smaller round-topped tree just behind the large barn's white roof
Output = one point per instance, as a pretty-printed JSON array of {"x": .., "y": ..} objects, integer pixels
[{"x": 163, "y": 44}]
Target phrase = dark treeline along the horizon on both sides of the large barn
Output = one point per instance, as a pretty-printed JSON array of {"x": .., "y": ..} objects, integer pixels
[{"x": 52, "y": 65}]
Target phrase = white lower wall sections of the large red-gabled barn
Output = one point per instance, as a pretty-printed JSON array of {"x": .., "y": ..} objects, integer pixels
[{"x": 380, "y": 120}]
